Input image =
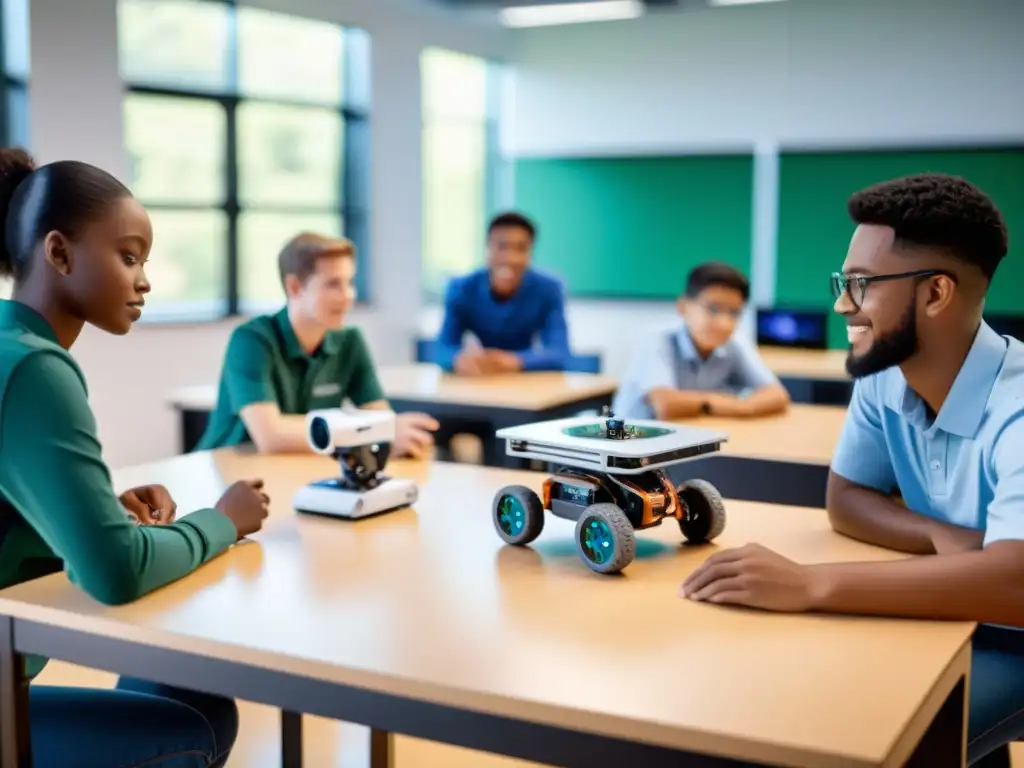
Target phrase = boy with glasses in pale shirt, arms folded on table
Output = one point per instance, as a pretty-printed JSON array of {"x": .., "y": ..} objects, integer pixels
[{"x": 701, "y": 367}]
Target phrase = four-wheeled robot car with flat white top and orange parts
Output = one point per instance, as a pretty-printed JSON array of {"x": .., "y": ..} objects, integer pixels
[{"x": 611, "y": 481}]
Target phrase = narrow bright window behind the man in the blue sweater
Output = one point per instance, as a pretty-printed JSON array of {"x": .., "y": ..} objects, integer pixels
[{"x": 460, "y": 162}]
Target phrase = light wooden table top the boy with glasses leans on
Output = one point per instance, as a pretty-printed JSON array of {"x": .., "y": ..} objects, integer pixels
[{"x": 805, "y": 434}]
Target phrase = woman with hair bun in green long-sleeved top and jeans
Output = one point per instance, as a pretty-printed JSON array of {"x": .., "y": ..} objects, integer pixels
[{"x": 76, "y": 243}]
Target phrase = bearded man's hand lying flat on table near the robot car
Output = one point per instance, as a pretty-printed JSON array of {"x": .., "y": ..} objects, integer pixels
[{"x": 756, "y": 577}]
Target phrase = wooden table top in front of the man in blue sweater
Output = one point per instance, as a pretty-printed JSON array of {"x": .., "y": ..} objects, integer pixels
[{"x": 426, "y": 382}]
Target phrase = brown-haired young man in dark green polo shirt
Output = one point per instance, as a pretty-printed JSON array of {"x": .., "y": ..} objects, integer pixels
[{"x": 279, "y": 367}]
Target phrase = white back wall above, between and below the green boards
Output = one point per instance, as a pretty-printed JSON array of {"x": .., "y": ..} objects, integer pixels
[{"x": 801, "y": 73}]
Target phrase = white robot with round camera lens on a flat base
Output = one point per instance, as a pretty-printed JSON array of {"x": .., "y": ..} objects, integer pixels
[{"x": 361, "y": 441}]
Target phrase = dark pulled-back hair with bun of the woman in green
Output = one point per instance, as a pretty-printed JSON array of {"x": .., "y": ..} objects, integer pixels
[{"x": 61, "y": 197}]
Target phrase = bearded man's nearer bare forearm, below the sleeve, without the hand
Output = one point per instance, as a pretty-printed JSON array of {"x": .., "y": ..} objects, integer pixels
[{"x": 986, "y": 586}]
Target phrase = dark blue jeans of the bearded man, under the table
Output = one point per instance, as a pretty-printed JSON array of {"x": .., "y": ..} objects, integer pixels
[{"x": 997, "y": 707}]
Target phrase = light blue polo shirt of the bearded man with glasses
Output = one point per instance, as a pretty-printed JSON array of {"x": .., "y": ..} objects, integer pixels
[{"x": 966, "y": 466}]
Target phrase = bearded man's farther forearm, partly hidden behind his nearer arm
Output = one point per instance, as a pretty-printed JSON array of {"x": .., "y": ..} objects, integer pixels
[{"x": 873, "y": 518}]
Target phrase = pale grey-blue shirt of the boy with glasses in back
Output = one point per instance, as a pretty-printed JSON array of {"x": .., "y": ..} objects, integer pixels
[{"x": 669, "y": 360}]
